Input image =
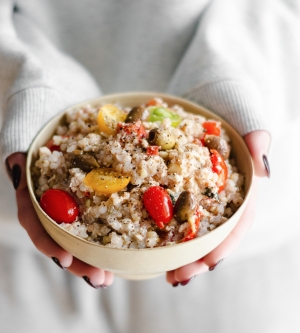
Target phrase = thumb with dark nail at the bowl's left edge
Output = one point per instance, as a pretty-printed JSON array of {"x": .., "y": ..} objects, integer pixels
[{"x": 16, "y": 164}]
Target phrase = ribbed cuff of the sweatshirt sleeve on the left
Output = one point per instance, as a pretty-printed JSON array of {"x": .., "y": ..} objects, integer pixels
[{"x": 26, "y": 113}]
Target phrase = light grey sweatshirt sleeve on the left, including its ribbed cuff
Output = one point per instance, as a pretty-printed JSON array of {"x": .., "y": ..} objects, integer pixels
[{"x": 36, "y": 80}]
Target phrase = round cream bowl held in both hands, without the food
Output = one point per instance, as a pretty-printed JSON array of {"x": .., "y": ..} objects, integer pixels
[{"x": 139, "y": 264}]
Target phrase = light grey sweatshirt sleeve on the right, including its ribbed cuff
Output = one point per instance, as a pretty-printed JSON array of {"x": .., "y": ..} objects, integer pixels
[{"x": 237, "y": 57}]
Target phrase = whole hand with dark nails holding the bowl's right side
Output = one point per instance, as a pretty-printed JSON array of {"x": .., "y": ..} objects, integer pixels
[{"x": 258, "y": 144}]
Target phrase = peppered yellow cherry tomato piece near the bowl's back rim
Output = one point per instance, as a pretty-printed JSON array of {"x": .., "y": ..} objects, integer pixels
[{"x": 108, "y": 118}]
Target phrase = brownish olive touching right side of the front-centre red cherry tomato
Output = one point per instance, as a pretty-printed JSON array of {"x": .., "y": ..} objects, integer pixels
[{"x": 185, "y": 206}]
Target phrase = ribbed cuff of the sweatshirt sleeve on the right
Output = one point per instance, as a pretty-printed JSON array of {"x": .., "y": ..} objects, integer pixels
[{"x": 233, "y": 102}]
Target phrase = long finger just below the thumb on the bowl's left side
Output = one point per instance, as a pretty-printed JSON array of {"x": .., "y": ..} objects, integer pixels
[{"x": 40, "y": 238}]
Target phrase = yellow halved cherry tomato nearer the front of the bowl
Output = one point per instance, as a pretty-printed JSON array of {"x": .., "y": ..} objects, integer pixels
[{"x": 106, "y": 181}]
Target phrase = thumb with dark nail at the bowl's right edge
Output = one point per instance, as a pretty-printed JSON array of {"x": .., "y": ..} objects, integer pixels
[{"x": 258, "y": 143}]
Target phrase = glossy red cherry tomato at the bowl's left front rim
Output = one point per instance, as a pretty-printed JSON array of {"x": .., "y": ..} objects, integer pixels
[{"x": 59, "y": 205}]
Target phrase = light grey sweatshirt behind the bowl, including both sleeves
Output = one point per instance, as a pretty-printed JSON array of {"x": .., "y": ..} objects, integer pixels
[{"x": 223, "y": 54}]
